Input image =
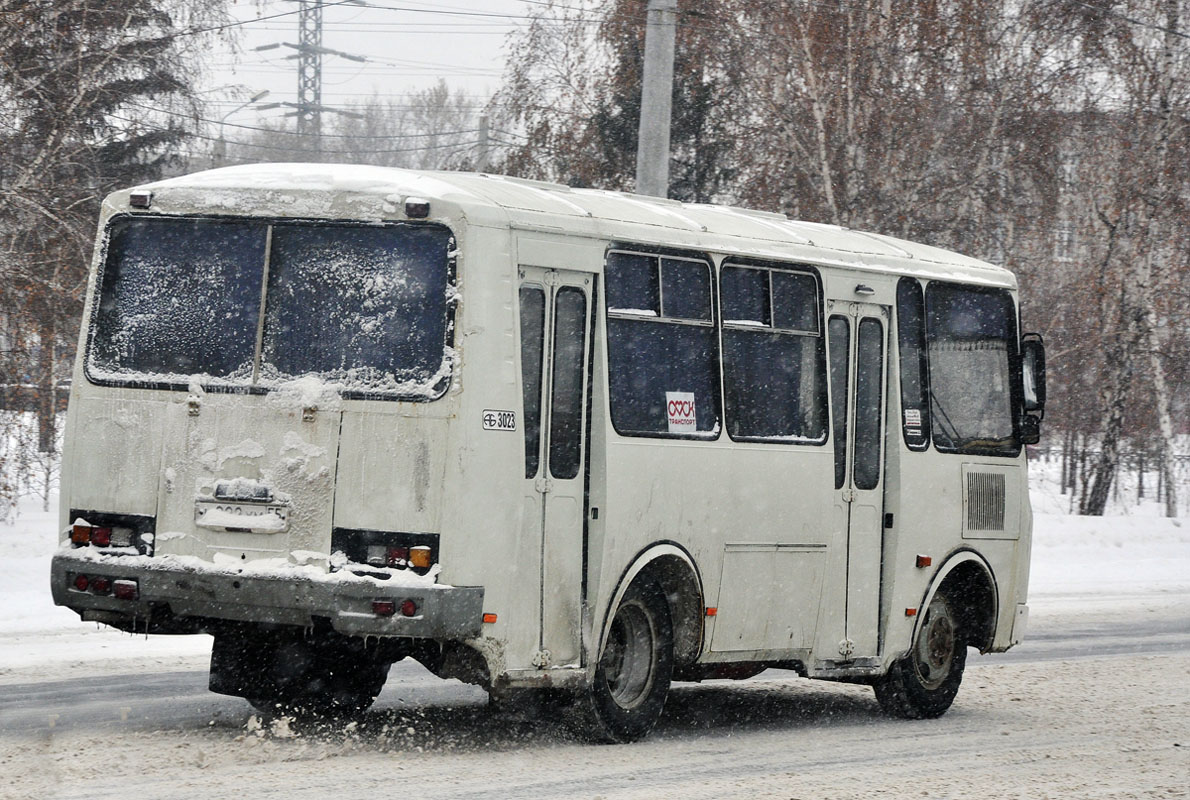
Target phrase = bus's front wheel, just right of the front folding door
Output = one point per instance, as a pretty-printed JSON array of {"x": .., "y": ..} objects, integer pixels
[{"x": 924, "y": 683}]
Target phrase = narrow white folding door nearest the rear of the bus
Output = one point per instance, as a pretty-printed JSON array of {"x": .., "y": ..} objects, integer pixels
[{"x": 555, "y": 314}]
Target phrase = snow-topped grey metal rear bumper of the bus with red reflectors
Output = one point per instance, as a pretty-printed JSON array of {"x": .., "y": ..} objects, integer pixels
[{"x": 174, "y": 598}]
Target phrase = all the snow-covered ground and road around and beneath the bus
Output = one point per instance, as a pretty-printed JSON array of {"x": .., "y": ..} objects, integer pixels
[{"x": 1035, "y": 723}]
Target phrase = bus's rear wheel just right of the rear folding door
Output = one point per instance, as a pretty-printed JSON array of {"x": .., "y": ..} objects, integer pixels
[{"x": 632, "y": 677}]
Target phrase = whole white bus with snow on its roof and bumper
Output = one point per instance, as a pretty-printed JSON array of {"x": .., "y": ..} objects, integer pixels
[{"x": 542, "y": 439}]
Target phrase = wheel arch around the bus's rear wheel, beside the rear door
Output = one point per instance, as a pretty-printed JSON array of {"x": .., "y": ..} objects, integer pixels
[{"x": 674, "y": 570}]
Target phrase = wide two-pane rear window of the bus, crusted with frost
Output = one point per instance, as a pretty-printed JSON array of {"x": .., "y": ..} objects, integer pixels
[{"x": 253, "y": 303}]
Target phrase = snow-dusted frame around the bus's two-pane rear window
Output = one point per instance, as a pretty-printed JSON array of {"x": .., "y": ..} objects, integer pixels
[{"x": 216, "y": 385}]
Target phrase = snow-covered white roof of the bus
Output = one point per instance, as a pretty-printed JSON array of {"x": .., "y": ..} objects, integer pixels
[{"x": 379, "y": 193}]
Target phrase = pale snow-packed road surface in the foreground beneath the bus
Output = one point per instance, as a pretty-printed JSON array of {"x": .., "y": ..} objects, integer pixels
[{"x": 1089, "y": 728}]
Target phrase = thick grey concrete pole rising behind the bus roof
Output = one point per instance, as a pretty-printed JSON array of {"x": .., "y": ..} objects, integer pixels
[{"x": 656, "y": 99}]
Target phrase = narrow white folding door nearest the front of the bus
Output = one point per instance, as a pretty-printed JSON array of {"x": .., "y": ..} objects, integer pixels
[{"x": 859, "y": 336}]
